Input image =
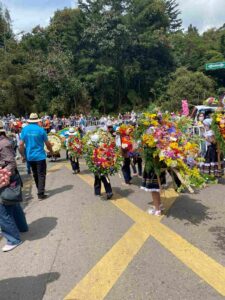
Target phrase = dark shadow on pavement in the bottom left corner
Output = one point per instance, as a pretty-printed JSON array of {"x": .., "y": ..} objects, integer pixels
[{"x": 26, "y": 288}]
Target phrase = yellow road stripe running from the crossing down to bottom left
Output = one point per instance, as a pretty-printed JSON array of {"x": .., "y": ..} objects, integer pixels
[{"x": 98, "y": 282}]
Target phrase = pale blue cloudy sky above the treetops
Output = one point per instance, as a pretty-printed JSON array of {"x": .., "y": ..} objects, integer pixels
[{"x": 26, "y": 14}]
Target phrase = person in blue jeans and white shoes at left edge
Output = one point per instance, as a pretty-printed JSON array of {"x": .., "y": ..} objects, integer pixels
[{"x": 12, "y": 218}]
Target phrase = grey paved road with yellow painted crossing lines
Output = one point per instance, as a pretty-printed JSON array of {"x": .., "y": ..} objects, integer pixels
[{"x": 81, "y": 247}]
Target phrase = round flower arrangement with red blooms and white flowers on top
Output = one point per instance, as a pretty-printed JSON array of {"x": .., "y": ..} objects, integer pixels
[{"x": 101, "y": 154}]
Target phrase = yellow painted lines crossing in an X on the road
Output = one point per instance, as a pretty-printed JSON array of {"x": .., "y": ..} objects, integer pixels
[{"x": 93, "y": 285}]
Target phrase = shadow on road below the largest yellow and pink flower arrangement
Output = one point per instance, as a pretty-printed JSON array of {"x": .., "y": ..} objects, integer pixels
[{"x": 186, "y": 208}]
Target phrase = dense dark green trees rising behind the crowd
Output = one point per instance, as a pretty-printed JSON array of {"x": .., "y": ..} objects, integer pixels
[{"x": 107, "y": 55}]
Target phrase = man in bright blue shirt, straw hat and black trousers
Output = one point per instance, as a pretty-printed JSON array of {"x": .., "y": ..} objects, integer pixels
[{"x": 34, "y": 137}]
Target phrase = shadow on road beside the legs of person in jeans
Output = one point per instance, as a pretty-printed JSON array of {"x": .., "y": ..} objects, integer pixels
[{"x": 40, "y": 228}]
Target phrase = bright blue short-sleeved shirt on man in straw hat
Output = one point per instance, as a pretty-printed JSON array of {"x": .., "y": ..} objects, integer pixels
[{"x": 34, "y": 138}]
